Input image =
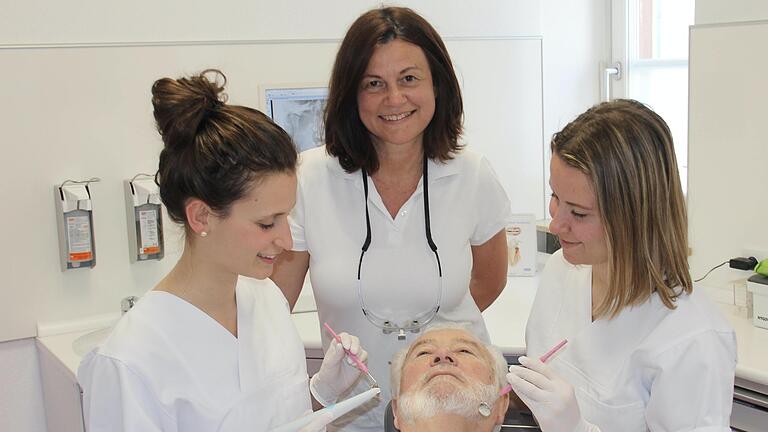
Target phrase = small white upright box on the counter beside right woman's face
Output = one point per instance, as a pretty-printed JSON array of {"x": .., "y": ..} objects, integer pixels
[{"x": 521, "y": 245}]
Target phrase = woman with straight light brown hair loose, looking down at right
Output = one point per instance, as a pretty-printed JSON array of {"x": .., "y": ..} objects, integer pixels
[{"x": 645, "y": 351}]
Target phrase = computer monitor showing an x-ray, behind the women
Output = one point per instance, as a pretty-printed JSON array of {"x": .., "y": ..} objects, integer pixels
[{"x": 299, "y": 110}]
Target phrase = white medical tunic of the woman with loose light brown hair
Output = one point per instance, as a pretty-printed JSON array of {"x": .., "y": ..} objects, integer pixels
[{"x": 649, "y": 368}]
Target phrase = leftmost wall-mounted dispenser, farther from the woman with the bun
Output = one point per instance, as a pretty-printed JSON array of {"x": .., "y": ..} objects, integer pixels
[{"x": 74, "y": 215}]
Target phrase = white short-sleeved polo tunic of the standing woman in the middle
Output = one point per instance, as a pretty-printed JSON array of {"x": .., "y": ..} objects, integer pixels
[{"x": 399, "y": 273}]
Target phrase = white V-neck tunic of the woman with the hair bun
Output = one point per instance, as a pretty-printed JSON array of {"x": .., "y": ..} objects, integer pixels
[{"x": 168, "y": 366}]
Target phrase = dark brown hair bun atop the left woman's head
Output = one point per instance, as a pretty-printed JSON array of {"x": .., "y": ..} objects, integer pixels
[{"x": 181, "y": 105}]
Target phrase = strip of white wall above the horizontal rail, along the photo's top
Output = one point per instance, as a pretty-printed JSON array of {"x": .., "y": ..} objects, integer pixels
[{"x": 44, "y": 21}]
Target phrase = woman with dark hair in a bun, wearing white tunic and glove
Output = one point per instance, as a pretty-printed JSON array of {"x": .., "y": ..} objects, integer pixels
[{"x": 212, "y": 347}]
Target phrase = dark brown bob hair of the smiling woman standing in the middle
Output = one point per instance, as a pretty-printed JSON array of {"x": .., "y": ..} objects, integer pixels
[{"x": 345, "y": 134}]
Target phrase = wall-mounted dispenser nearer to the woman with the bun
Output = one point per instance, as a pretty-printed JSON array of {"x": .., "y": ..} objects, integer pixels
[{"x": 145, "y": 218}]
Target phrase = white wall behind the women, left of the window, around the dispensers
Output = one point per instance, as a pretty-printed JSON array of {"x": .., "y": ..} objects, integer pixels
[{"x": 78, "y": 134}]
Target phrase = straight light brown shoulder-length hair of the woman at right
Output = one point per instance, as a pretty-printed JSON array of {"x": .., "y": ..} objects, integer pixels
[{"x": 626, "y": 150}]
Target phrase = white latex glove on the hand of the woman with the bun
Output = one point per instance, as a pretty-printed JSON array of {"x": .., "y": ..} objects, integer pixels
[{"x": 337, "y": 372}]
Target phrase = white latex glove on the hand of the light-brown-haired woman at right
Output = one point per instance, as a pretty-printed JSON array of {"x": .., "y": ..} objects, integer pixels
[{"x": 550, "y": 398}]
